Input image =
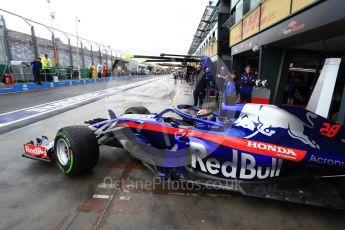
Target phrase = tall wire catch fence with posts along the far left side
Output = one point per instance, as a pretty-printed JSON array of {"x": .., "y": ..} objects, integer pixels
[{"x": 66, "y": 57}]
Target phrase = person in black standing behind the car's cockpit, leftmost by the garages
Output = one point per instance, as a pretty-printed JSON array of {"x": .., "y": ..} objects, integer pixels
[{"x": 201, "y": 85}]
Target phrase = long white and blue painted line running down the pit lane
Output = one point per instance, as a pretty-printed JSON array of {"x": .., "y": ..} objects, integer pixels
[{"x": 65, "y": 103}]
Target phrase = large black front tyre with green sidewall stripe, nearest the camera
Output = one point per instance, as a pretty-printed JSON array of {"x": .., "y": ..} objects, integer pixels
[{"x": 76, "y": 150}]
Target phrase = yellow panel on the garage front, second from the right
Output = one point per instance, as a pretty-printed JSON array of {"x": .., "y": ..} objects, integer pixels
[{"x": 273, "y": 11}]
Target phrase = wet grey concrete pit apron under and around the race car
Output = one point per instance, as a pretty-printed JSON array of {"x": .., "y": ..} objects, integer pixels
[{"x": 38, "y": 196}]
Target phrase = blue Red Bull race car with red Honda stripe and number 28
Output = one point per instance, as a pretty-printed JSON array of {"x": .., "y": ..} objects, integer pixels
[{"x": 277, "y": 152}]
